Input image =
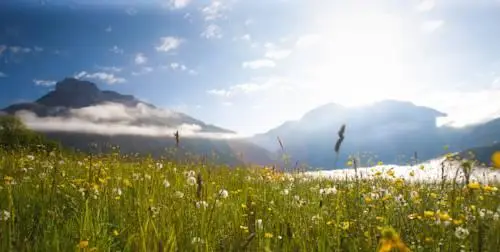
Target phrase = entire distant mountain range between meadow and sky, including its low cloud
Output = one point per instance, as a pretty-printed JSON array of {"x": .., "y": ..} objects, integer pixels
[{"x": 77, "y": 113}]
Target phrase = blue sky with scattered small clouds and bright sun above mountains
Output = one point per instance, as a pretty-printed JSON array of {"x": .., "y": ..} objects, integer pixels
[{"x": 249, "y": 66}]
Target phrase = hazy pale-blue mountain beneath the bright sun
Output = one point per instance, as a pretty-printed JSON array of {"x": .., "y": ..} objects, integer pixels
[{"x": 390, "y": 131}]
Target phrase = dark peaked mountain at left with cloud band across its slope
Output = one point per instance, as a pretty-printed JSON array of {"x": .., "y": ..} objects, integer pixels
[{"x": 77, "y": 113}]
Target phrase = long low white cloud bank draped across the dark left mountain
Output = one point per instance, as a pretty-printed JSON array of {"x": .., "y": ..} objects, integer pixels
[{"x": 117, "y": 119}]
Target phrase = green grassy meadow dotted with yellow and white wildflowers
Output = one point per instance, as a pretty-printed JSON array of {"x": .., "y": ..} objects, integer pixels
[{"x": 56, "y": 202}]
